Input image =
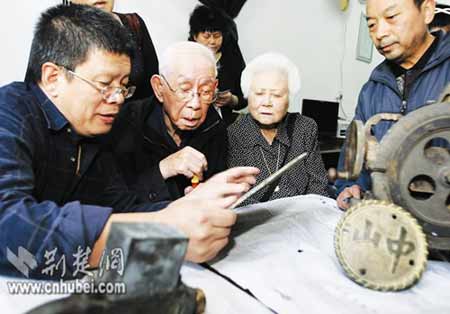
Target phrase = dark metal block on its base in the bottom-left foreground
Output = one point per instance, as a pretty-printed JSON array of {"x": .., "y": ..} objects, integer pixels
[{"x": 152, "y": 258}]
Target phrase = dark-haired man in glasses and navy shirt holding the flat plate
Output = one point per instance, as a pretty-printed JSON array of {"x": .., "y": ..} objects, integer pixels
[{"x": 59, "y": 192}]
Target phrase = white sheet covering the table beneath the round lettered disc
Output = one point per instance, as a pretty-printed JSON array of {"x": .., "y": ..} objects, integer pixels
[{"x": 266, "y": 260}]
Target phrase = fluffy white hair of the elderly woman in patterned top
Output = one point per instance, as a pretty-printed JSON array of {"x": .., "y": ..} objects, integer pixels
[{"x": 272, "y": 61}]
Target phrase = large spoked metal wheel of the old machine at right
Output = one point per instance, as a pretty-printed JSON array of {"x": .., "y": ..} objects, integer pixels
[{"x": 413, "y": 167}]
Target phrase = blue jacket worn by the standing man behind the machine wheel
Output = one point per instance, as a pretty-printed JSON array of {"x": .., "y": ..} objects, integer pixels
[{"x": 380, "y": 94}]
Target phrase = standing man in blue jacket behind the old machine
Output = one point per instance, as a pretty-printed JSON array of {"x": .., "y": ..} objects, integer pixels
[{"x": 414, "y": 73}]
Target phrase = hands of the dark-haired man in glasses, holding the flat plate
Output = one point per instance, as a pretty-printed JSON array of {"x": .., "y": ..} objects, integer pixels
[{"x": 203, "y": 215}]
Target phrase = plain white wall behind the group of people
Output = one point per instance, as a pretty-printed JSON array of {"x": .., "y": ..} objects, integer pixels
[{"x": 311, "y": 33}]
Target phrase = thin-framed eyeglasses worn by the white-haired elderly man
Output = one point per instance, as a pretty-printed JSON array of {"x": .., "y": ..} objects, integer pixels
[{"x": 206, "y": 91}]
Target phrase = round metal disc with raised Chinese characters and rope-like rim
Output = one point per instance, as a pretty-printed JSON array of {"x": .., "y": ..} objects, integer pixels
[{"x": 381, "y": 246}]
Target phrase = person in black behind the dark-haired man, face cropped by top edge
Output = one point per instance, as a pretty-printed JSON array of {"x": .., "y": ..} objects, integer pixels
[{"x": 145, "y": 60}]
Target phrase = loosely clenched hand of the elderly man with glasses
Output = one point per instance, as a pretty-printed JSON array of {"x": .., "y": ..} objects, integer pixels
[{"x": 187, "y": 161}]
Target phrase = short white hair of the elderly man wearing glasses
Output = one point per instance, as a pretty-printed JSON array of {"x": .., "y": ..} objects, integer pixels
[{"x": 183, "y": 49}]
